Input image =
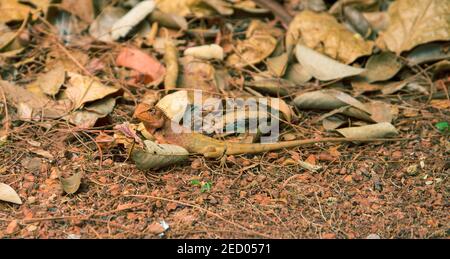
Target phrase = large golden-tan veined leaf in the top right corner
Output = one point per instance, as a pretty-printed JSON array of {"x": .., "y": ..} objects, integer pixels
[{"x": 415, "y": 22}]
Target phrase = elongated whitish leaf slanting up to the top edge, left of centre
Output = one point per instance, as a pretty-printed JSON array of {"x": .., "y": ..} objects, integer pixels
[{"x": 132, "y": 18}]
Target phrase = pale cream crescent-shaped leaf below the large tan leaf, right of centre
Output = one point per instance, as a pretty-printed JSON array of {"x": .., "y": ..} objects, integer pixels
[{"x": 322, "y": 67}]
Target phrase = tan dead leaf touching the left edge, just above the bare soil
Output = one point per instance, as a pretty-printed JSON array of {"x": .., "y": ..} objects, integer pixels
[{"x": 32, "y": 106}]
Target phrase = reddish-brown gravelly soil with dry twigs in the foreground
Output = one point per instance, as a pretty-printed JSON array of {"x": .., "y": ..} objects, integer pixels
[{"x": 395, "y": 190}]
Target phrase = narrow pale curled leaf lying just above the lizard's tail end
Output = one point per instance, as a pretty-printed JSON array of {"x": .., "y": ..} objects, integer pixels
[{"x": 380, "y": 130}]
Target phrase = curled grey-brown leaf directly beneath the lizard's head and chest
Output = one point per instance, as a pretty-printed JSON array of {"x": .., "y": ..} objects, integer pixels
[{"x": 157, "y": 156}]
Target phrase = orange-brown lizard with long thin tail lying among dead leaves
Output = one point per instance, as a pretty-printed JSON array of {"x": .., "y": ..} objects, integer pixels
[{"x": 197, "y": 143}]
